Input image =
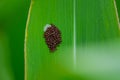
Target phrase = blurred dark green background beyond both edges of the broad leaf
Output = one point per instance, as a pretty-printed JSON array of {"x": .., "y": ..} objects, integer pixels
[{"x": 13, "y": 16}]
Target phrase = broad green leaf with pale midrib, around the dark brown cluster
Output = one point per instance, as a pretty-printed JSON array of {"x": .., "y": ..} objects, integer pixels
[{"x": 90, "y": 40}]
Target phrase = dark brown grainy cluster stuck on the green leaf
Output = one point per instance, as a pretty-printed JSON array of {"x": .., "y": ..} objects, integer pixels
[{"x": 52, "y": 37}]
